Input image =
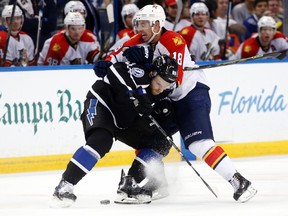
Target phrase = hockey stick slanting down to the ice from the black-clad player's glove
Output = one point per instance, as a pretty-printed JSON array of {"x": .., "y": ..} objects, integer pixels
[{"x": 179, "y": 151}]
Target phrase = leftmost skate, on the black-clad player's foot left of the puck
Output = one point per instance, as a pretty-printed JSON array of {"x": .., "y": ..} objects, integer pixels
[{"x": 63, "y": 196}]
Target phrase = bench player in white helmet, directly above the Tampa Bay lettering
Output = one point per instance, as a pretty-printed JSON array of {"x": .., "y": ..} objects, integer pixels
[{"x": 74, "y": 45}]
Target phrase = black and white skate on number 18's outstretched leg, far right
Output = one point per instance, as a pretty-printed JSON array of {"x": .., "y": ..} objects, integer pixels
[{"x": 243, "y": 190}]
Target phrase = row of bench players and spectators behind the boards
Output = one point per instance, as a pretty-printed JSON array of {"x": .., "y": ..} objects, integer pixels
[{"x": 42, "y": 33}]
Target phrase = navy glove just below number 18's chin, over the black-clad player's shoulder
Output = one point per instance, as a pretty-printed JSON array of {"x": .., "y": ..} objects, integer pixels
[{"x": 139, "y": 55}]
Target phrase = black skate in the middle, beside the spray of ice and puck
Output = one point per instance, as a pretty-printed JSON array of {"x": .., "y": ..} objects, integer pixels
[{"x": 130, "y": 193}]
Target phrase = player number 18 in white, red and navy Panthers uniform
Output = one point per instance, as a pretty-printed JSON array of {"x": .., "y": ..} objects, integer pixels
[{"x": 191, "y": 98}]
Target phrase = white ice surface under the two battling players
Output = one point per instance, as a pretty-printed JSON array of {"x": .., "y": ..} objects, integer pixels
[{"x": 29, "y": 194}]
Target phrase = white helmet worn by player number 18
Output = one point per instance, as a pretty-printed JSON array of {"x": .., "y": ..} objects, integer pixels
[{"x": 152, "y": 13}]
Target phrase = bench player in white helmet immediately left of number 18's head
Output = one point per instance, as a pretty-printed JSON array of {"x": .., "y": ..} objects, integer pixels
[{"x": 127, "y": 13}]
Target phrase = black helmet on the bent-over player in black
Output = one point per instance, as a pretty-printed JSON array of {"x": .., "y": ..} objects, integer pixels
[{"x": 166, "y": 67}]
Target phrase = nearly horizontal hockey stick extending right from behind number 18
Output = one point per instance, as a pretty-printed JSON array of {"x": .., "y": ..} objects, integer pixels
[{"x": 279, "y": 55}]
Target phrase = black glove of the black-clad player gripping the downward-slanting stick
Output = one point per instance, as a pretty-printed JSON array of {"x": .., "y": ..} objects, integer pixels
[{"x": 141, "y": 102}]
